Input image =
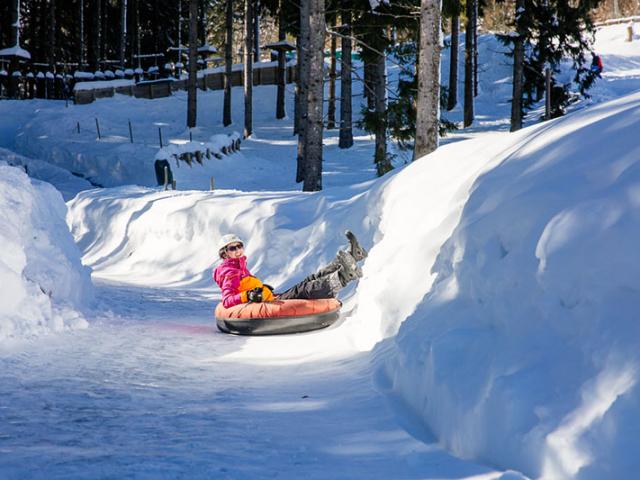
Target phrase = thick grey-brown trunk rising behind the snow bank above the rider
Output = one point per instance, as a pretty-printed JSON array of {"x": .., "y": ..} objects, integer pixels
[{"x": 315, "y": 97}]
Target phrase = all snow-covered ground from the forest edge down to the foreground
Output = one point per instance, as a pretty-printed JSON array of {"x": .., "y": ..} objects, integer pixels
[{"x": 495, "y": 319}]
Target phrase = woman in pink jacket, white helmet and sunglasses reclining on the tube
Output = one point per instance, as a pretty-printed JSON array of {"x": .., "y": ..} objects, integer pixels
[{"x": 238, "y": 285}]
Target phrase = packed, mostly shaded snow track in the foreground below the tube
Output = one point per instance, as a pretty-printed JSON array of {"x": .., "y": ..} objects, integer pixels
[{"x": 153, "y": 392}]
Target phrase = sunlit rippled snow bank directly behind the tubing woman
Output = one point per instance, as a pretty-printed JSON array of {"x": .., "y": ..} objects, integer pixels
[{"x": 168, "y": 238}]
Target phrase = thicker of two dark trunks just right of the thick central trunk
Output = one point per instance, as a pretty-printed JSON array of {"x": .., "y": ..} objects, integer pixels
[{"x": 346, "y": 132}]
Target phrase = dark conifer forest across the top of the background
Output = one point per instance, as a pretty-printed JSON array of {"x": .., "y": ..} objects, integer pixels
[{"x": 174, "y": 38}]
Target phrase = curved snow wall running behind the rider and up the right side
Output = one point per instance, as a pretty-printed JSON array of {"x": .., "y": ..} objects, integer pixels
[{"x": 511, "y": 257}]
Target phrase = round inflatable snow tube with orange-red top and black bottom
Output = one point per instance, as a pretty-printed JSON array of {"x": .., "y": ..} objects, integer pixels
[{"x": 279, "y": 317}]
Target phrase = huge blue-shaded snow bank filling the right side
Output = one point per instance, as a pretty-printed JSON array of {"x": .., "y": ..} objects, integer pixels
[{"x": 523, "y": 353}]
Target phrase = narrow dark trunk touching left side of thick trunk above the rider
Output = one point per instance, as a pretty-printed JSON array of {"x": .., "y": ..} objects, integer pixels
[{"x": 304, "y": 54}]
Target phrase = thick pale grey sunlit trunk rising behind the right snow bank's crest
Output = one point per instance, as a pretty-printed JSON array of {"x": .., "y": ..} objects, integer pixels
[{"x": 428, "y": 97}]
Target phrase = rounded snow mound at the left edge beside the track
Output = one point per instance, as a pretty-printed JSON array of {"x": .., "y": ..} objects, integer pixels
[{"x": 44, "y": 285}]
